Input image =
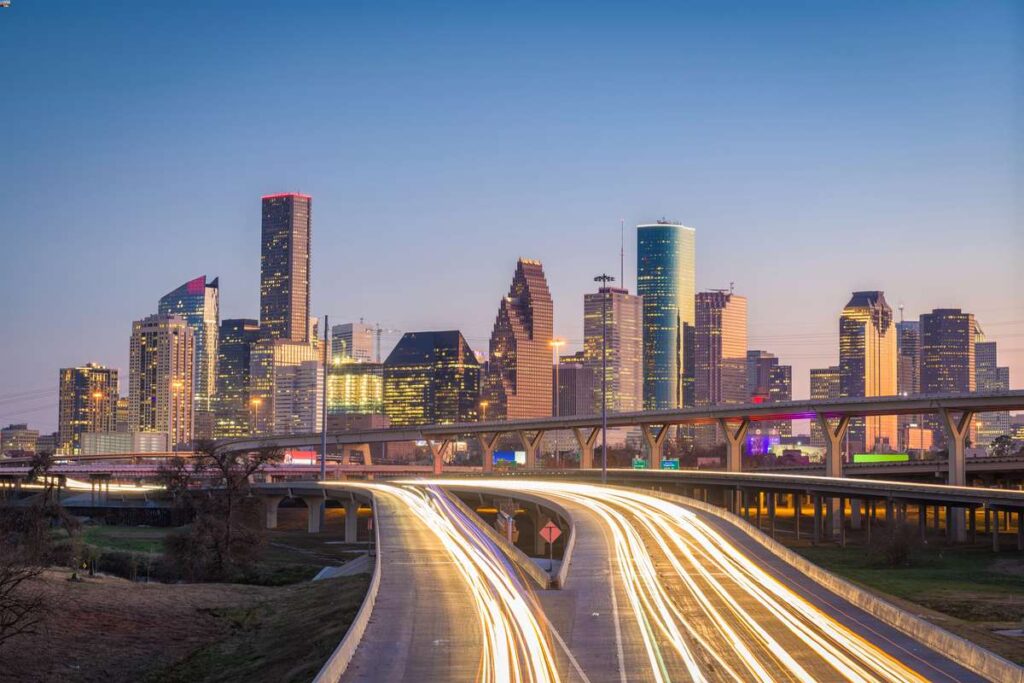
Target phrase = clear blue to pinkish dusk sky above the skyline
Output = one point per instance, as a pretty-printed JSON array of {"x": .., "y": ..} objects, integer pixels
[{"x": 818, "y": 148}]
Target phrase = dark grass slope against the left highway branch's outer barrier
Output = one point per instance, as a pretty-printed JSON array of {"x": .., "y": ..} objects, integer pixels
[{"x": 284, "y": 638}]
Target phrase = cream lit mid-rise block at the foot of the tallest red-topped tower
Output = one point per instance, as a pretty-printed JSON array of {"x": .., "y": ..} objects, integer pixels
[{"x": 286, "y": 387}]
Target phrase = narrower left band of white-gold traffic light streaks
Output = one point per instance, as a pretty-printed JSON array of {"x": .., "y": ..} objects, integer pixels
[{"x": 516, "y": 646}]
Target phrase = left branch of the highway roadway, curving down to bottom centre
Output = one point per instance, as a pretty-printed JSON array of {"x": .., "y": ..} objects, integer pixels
[{"x": 451, "y": 608}]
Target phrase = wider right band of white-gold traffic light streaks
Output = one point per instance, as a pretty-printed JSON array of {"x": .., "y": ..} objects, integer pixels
[{"x": 704, "y": 609}]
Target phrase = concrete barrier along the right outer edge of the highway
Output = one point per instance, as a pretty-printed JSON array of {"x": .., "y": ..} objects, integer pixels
[{"x": 961, "y": 651}]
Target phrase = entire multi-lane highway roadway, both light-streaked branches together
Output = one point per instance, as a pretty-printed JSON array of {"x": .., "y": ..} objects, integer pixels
[{"x": 657, "y": 590}]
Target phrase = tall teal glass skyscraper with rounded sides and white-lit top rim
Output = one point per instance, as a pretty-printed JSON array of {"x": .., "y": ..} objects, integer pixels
[{"x": 667, "y": 281}]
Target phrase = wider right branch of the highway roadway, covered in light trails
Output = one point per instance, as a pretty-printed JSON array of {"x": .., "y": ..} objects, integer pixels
[{"x": 662, "y": 592}]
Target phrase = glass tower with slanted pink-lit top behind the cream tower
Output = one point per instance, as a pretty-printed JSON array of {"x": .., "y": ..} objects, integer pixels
[{"x": 198, "y": 303}]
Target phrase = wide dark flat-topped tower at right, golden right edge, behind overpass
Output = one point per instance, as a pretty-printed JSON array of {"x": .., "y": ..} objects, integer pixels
[{"x": 948, "y": 360}]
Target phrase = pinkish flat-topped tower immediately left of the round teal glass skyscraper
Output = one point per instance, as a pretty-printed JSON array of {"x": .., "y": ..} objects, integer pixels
[{"x": 624, "y": 323}]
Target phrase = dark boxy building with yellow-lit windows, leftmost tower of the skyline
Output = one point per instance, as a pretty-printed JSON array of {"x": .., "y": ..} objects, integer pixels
[{"x": 88, "y": 403}]
